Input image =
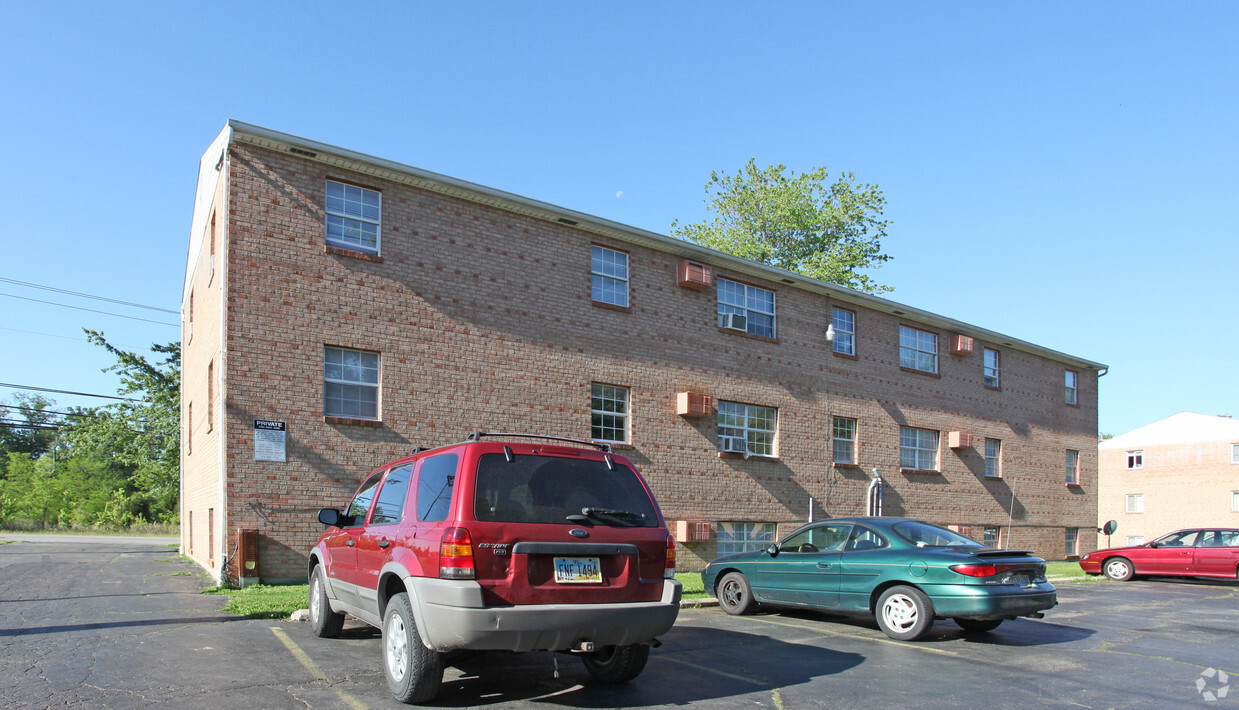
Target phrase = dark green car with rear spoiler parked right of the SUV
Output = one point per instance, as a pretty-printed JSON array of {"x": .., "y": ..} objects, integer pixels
[{"x": 906, "y": 573}]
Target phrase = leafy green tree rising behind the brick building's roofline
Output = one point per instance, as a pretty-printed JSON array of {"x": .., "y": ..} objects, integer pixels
[{"x": 828, "y": 231}]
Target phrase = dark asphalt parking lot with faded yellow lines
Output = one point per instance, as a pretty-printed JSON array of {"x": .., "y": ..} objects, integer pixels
[{"x": 121, "y": 624}]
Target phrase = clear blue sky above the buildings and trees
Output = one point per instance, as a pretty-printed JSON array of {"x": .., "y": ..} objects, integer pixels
[{"x": 1062, "y": 173}]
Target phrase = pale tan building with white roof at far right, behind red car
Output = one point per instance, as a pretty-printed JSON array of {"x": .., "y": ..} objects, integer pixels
[{"x": 1179, "y": 473}]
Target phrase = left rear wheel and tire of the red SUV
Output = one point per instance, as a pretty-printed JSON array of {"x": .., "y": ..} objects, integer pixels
[{"x": 413, "y": 671}]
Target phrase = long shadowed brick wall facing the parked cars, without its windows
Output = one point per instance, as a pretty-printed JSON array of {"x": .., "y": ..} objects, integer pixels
[{"x": 484, "y": 322}]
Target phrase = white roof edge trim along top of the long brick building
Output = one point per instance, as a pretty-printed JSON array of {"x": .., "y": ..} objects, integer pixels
[{"x": 511, "y": 203}]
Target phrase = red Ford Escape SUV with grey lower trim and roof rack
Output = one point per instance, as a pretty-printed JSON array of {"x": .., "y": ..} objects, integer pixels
[{"x": 551, "y": 545}]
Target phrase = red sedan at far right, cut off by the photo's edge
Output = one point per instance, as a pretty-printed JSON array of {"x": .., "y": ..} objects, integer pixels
[{"x": 1193, "y": 553}]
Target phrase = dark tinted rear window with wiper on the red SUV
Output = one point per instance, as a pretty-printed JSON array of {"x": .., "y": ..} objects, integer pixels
[{"x": 552, "y": 489}]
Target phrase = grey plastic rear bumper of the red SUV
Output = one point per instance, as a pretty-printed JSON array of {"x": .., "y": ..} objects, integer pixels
[{"x": 452, "y": 616}]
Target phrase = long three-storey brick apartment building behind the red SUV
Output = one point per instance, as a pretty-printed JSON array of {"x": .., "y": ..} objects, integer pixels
[{"x": 341, "y": 310}]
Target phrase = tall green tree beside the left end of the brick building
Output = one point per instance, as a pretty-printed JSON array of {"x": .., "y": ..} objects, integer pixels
[{"x": 143, "y": 433}]
